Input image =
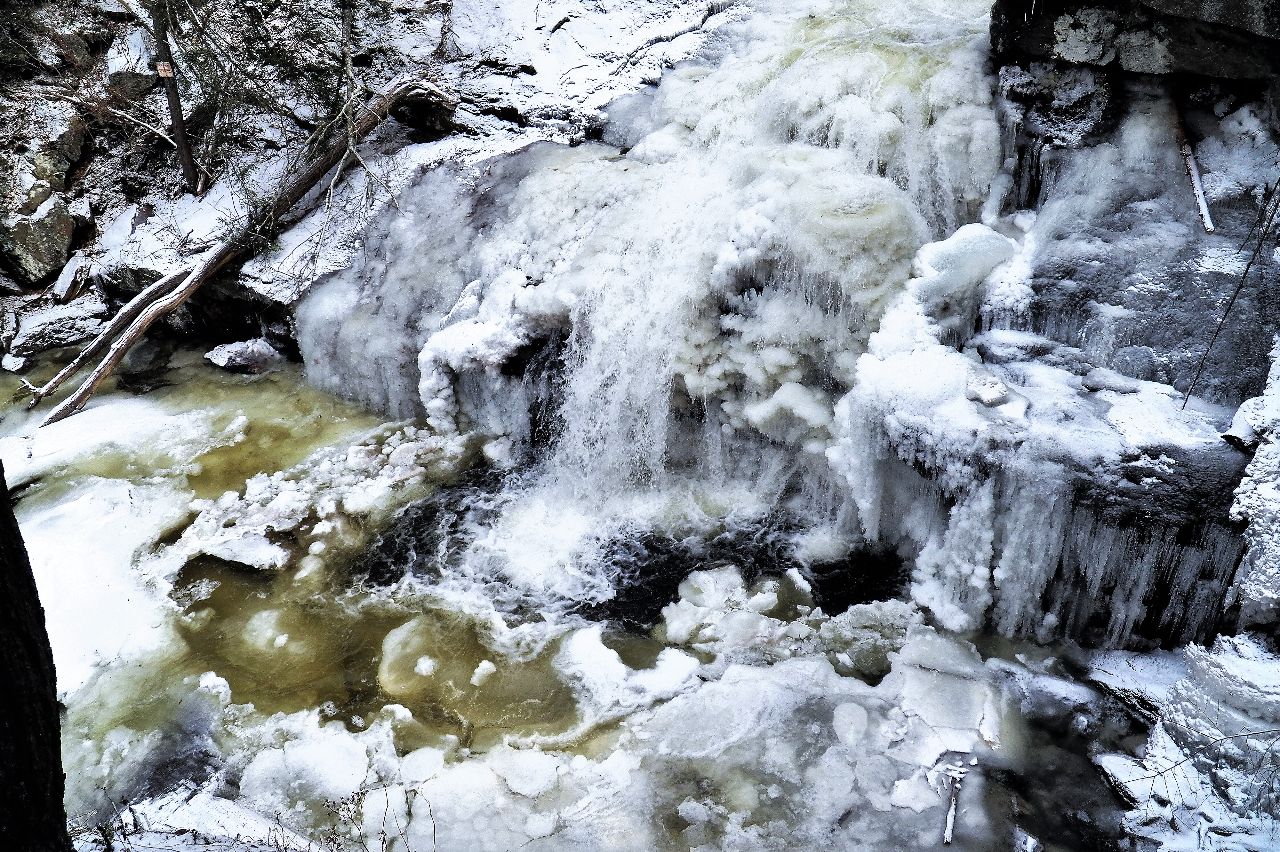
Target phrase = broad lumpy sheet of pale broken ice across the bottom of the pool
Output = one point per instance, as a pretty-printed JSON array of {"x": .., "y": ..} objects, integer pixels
[{"x": 678, "y": 753}]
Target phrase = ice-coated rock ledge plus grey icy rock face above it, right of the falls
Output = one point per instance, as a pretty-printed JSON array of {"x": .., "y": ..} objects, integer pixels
[{"x": 1064, "y": 470}]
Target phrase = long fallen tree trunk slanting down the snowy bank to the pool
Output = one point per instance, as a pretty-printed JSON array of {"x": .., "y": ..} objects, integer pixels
[{"x": 163, "y": 297}]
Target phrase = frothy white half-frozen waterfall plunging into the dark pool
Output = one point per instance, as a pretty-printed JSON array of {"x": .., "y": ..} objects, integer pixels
[{"x": 716, "y": 269}]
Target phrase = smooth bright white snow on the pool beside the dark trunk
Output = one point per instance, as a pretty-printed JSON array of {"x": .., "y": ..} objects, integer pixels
[{"x": 88, "y": 528}]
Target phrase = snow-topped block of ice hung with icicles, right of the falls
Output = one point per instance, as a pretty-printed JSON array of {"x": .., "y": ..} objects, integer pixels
[{"x": 1007, "y": 462}]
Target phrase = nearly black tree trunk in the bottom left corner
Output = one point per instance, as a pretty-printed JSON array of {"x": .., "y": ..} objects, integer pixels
[{"x": 33, "y": 817}]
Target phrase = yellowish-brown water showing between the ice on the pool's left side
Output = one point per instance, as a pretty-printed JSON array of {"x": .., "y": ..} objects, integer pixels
[{"x": 303, "y": 638}]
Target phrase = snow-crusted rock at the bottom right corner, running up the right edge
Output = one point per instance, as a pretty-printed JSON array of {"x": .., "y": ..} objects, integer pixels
[{"x": 1208, "y": 769}]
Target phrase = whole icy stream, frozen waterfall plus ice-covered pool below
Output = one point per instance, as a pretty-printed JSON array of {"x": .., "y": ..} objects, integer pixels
[{"x": 689, "y": 519}]
